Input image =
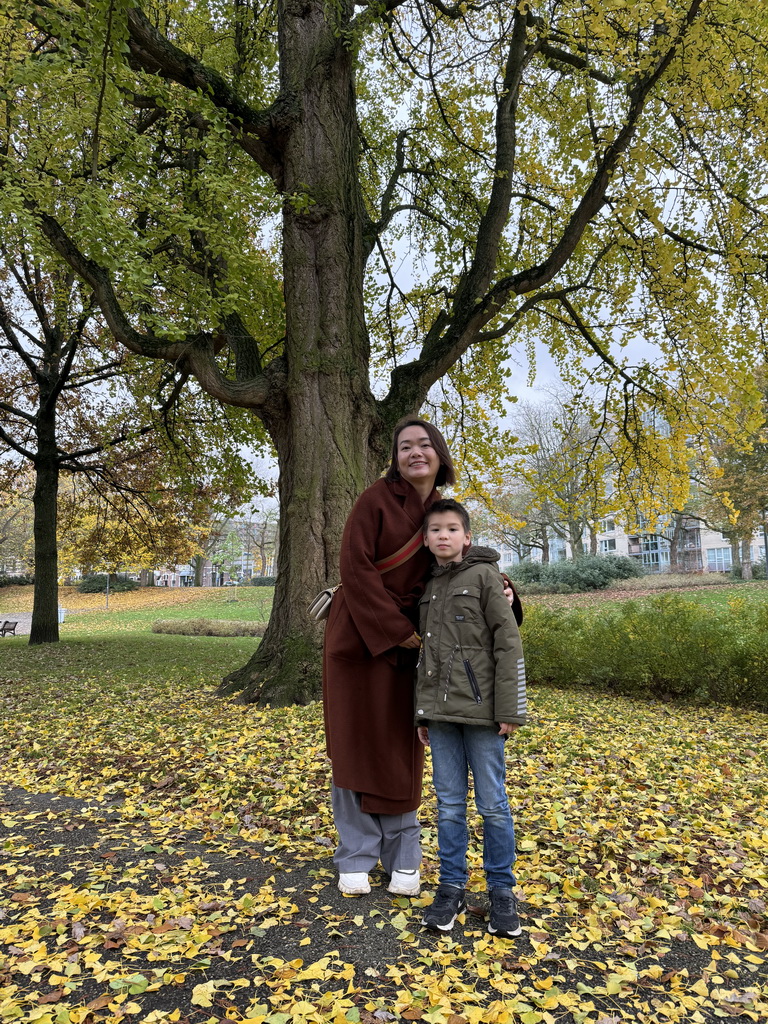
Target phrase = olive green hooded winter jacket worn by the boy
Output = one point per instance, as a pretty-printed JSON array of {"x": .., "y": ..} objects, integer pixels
[{"x": 472, "y": 669}]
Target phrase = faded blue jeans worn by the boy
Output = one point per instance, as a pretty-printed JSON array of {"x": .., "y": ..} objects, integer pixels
[{"x": 455, "y": 749}]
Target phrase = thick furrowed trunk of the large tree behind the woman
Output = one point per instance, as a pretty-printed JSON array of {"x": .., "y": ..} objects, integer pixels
[{"x": 325, "y": 431}]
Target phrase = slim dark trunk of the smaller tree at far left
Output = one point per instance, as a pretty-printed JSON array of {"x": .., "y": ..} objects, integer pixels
[{"x": 46, "y": 608}]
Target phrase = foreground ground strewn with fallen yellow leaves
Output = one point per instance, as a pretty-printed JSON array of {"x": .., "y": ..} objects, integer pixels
[{"x": 166, "y": 856}]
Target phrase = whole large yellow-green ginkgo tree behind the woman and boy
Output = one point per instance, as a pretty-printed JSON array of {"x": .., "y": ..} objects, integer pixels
[{"x": 322, "y": 211}]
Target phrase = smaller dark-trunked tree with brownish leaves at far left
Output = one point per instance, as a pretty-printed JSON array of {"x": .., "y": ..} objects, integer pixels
[{"x": 74, "y": 402}]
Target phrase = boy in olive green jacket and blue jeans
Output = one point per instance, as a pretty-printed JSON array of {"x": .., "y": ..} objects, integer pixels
[{"x": 471, "y": 696}]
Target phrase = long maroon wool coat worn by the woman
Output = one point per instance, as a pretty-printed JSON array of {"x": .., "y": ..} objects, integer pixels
[{"x": 368, "y": 680}]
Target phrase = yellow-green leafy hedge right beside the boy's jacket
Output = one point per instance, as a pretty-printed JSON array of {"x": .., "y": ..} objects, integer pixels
[{"x": 661, "y": 648}]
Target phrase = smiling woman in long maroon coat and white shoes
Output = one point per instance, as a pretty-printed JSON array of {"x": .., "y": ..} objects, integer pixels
[{"x": 370, "y": 656}]
